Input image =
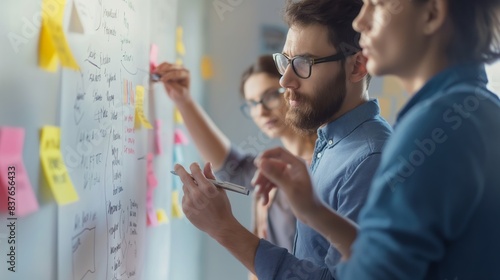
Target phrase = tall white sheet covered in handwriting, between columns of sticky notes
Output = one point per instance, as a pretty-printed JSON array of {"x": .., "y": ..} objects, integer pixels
[{"x": 102, "y": 236}]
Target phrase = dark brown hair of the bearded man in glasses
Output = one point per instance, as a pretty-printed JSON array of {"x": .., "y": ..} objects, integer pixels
[{"x": 336, "y": 15}]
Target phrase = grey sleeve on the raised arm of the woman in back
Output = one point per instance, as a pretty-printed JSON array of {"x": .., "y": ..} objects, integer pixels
[{"x": 238, "y": 168}]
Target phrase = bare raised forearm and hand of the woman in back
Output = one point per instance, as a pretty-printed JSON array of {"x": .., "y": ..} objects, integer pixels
[{"x": 212, "y": 144}]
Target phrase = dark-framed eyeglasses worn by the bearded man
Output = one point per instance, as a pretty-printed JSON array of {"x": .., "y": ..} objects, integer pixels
[{"x": 302, "y": 65}]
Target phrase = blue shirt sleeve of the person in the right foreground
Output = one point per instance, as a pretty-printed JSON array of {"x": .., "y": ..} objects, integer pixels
[{"x": 424, "y": 194}]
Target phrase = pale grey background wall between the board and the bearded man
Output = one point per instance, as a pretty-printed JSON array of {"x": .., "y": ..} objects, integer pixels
[{"x": 233, "y": 43}]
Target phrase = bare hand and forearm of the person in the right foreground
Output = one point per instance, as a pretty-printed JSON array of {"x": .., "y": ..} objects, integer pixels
[{"x": 278, "y": 167}]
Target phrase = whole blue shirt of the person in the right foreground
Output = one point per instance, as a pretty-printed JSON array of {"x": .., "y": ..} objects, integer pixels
[{"x": 434, "y": 208}]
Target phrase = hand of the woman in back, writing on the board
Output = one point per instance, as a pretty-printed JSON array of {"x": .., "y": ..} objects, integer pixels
[{"x": 176, "y": 80}]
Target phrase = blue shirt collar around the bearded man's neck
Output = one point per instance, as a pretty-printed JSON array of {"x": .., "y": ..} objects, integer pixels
[{"x": 343, "y": 126}]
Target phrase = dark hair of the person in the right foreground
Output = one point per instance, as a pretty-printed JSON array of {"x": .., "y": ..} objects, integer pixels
[{"x": 476, "y": 35}]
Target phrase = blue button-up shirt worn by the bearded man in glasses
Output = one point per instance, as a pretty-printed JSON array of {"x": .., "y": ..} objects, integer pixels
[{"x": 346, "y": 156}]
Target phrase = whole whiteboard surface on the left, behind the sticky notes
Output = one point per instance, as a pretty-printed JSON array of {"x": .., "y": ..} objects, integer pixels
[{"x": 104, "y": 234}]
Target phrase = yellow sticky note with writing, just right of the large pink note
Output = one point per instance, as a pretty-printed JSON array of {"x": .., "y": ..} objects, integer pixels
[{"x": 53, "y": 166}]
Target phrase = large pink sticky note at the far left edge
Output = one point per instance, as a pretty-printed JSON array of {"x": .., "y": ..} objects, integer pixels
[{"x": 15, "y": 187}]
